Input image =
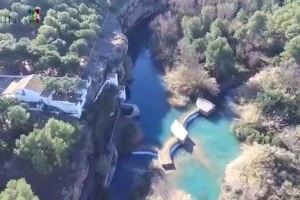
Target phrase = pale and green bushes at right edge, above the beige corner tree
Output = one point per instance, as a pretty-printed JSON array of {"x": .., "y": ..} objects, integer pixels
[{"x": 269, "y": 103}]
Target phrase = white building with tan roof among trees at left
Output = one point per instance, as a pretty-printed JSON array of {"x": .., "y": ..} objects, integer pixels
[{"x": 32, "y": 90}]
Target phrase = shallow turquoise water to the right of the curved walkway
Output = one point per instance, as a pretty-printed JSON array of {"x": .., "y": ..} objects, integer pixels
[{"x": 201, "y": 175}]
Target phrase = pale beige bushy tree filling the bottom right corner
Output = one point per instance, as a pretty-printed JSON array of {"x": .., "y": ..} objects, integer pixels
[{"x": 262, "y": 172}]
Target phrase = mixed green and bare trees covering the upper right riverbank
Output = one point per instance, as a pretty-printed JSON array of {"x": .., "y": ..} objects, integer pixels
[{"x": 208, "y": 46}]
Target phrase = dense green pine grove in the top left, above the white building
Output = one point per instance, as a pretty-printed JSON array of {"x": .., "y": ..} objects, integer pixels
[{"x": 61, "y": 42}]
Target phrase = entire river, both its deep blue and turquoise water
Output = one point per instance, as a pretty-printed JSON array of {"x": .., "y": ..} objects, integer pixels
[{"x": 199, "y": 174}]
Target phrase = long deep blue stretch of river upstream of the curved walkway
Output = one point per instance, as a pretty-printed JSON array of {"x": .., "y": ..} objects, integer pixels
[{"x": 147, "y": 89}]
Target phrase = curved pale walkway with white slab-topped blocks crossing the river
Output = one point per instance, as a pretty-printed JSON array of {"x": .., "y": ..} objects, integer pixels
[{"x": 179, "y": 138}]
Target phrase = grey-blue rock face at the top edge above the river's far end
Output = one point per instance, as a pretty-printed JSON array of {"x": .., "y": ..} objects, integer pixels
[{"x": 134, "y": 11}]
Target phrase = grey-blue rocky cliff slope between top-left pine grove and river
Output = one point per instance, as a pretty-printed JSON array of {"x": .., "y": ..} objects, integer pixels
[{"x": 109, "y": 53}]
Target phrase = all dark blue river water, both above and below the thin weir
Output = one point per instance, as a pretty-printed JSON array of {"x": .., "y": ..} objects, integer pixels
[{"x": 148, "y": 92}]
